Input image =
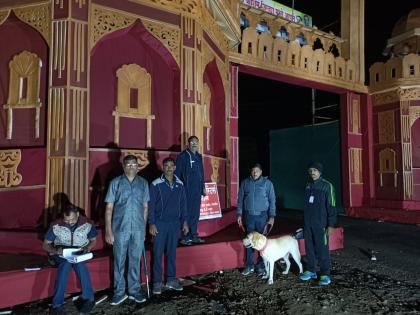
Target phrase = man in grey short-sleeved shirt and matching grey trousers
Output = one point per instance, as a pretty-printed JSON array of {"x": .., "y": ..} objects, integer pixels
[{"x": 125, "y": 224}]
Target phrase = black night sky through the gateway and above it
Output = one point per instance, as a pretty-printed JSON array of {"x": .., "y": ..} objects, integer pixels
[{"x": 266, "y": 105}]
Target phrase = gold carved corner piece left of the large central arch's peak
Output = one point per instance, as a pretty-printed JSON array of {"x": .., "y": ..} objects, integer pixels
[{"x": 106, "y": 21}]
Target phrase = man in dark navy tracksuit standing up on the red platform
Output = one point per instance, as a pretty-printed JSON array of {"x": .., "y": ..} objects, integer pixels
[{"x": 190, "y": 170}]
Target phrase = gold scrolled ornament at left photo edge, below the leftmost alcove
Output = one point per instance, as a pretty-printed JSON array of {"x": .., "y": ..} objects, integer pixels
[{"x": 9, "y": 162}]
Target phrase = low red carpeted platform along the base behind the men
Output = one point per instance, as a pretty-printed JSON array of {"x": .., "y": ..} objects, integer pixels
[{"x": 222, "y": 250}]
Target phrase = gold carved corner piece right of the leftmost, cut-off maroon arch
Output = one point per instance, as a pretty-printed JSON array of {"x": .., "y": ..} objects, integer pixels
[{"x": 39, "y": 17}]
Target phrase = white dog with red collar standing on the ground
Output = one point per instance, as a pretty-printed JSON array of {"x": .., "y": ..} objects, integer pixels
[{"x": 272, "y": 250}]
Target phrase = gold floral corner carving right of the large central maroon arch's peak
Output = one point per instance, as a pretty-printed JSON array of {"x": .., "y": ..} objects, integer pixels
[{"x": 170, "y": 37}]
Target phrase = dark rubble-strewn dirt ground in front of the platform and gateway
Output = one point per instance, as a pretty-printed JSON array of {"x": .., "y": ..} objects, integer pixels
[{"x": 360, "y": 285}]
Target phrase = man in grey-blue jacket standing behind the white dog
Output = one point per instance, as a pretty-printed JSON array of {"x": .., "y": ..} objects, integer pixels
[{"x": 257, "y": 204}]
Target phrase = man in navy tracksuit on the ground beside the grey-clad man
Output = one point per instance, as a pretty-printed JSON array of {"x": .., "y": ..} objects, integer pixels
[{"x": 167, "y": 211}]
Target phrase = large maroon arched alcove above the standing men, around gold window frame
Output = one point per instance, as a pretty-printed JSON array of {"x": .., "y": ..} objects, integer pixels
[{"x": 140, "y": 48}]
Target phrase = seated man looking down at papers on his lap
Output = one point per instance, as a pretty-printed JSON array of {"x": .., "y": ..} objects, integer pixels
[{"x": 70, "y": 231}]
